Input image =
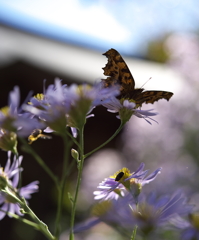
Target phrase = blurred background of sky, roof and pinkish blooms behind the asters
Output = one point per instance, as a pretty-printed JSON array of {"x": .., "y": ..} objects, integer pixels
[{"x": 158, "y": 39}]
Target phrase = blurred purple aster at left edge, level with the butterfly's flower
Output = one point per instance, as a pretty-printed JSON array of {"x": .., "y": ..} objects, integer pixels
[{"x": 13, "y": 119}]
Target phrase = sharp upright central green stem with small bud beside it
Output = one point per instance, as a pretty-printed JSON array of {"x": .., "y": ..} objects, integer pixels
[{"x": 80, "y": 168}]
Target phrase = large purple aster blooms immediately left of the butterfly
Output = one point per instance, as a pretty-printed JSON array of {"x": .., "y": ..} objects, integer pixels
[{"x": 62, "y": 106}]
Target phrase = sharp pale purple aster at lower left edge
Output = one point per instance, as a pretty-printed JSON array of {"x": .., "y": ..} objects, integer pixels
[{"x": 11, "y": 175}]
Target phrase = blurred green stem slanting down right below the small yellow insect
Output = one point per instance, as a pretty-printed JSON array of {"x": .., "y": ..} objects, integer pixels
[{"x": 27, "y": 148}]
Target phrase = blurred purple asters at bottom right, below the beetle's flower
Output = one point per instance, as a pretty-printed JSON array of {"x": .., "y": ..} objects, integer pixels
[{"x": 149, "y": 214}]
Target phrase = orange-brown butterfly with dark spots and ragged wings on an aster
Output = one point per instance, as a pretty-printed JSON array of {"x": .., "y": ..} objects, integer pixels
[{"x": 118, "y": 73}]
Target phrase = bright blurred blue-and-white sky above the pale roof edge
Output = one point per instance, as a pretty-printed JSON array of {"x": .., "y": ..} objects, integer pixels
[{"x": 126, "y": 25}]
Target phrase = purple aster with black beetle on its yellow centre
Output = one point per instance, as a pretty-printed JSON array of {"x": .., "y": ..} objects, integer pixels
[{"x": 122, "y": 182}]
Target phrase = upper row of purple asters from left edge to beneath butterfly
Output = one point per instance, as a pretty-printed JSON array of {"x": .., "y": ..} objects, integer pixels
[{"x": 60, "y": 106}]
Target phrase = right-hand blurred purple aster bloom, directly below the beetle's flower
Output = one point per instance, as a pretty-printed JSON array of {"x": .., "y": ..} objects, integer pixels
[{"x": 154, "y": 212}]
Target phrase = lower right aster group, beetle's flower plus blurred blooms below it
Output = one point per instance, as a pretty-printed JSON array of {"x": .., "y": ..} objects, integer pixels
[{"x": 124, "y": 205}]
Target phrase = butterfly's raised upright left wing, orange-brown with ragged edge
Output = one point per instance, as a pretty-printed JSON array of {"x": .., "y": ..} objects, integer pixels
[{"x": 117, "y": 72}]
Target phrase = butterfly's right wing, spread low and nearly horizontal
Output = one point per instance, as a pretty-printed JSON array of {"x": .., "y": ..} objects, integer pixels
[{"x": 152, "y": 96}]
